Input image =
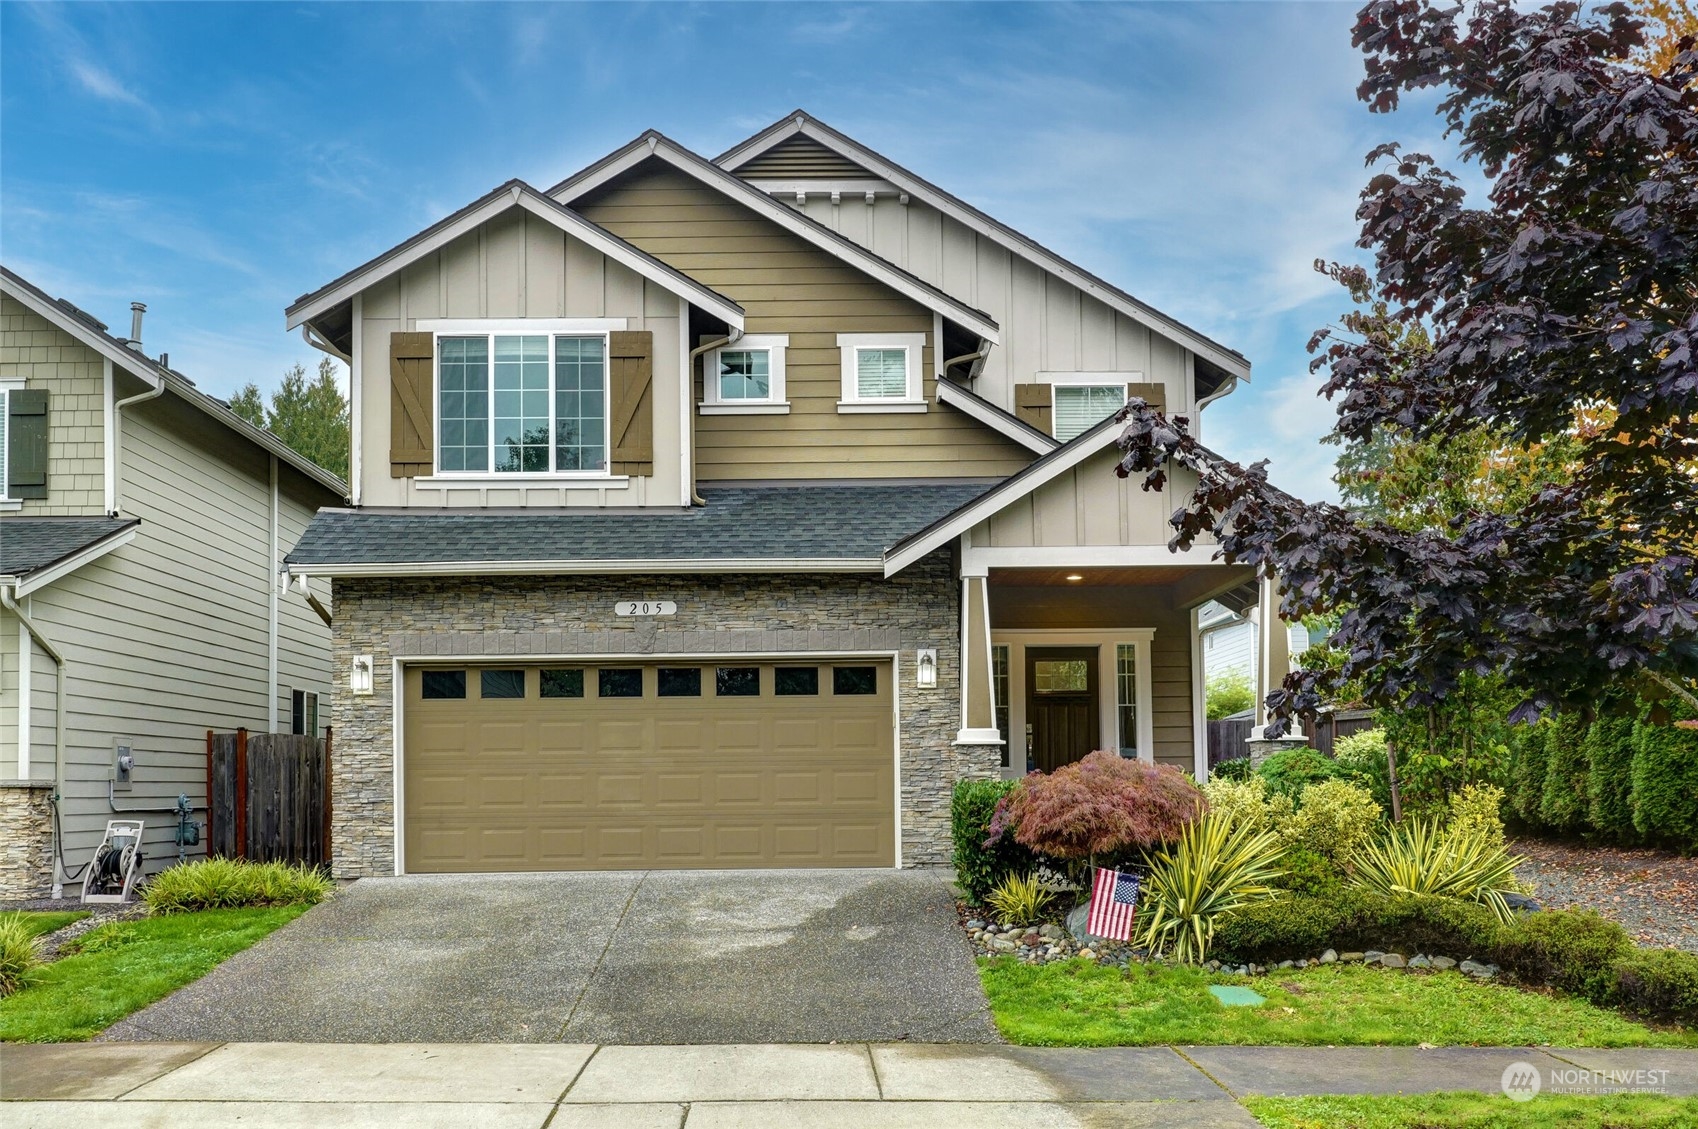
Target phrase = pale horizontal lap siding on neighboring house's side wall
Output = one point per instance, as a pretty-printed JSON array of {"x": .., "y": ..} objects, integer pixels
[{"x": 167, "y": 636}]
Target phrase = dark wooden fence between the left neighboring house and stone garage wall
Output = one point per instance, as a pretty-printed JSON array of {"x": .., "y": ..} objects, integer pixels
[{"x": 269, "y": 797}]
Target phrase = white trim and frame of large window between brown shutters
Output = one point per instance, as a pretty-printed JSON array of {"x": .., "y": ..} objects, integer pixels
[{"x": 534, "y": 327}]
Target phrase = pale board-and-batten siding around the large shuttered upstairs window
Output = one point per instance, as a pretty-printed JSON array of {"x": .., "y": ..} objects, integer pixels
[{"x": 519, "y": 266}]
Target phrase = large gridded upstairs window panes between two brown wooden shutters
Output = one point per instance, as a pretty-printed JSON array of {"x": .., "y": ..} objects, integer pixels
[{"x": 522, "y": 403}]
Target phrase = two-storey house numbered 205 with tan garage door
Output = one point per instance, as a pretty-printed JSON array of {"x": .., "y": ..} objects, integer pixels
[{"x": 722, "y": 514}]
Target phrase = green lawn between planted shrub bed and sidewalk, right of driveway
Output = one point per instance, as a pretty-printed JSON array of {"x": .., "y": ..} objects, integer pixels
[{"x": 1084, "y": 1004}]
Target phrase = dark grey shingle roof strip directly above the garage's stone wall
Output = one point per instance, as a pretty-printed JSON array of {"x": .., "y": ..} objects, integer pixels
[{"x": 739, "y": 524}]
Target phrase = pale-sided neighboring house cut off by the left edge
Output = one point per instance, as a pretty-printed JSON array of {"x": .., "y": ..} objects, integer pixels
[{"x": 142, "y": 539}]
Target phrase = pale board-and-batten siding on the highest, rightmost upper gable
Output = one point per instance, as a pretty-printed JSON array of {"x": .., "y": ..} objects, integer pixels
[{"x": 1049, "y": 325}]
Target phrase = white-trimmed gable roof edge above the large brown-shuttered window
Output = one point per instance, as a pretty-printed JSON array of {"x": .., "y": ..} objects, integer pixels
[{"x": 502, "y": 199}]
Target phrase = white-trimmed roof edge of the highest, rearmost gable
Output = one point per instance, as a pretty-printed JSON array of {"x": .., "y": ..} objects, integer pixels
[{"x": 804, "y": 125}]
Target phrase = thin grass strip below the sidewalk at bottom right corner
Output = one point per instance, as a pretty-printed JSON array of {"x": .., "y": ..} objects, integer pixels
[{"x": 1478, "y": 1111}]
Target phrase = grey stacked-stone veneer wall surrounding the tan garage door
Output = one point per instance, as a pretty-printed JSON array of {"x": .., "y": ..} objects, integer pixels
[{"x": 573, "y": 615}]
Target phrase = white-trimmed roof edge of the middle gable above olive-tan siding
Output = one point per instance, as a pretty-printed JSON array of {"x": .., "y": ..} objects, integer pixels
[{"x": 660, "y": 147}]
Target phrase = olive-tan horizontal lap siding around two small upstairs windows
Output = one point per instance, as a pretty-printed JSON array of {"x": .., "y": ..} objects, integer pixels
[{"x": 787, "y": 286}]
